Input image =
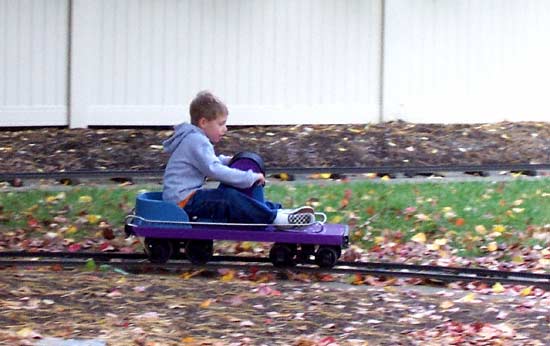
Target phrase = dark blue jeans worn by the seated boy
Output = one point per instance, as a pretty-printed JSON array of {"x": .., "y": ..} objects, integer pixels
[{"x": 227, "y": 204}]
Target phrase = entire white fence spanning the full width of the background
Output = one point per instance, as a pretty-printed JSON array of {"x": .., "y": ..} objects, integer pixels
[{"x": 139, "y": 62}]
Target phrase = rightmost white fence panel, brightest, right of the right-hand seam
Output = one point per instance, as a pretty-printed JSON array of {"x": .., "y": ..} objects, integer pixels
[{"x": 467, "y": 61}]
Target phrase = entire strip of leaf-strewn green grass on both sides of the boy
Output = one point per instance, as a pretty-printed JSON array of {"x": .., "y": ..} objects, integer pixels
[{"x": 468, "y": 215}]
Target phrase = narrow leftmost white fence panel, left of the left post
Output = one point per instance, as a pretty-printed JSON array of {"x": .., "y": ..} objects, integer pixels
[{"x": 33, "y": 62}]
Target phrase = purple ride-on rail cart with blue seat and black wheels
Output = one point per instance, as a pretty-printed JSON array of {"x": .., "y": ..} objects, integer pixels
[{"x": 166, "y": 230}]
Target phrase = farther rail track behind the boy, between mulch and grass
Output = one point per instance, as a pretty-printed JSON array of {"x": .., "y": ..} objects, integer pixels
[{"x": 406, "y": 169}]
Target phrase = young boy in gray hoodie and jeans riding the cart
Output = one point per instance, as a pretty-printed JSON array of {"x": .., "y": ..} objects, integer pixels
[{"x": 193, "y": 159}]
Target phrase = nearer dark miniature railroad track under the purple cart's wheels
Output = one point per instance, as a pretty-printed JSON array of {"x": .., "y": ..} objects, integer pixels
[{"x": 139, "y": 262}]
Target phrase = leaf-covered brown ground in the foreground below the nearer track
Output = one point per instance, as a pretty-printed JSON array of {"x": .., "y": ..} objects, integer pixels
[{"x": 254, "y": 308}]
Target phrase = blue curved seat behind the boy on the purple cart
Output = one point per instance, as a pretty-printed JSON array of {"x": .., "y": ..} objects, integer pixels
[{"x": 151, "y": 206}]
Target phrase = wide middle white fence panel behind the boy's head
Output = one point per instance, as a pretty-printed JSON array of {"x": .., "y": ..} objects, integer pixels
[{"x": 272, "y": 61}]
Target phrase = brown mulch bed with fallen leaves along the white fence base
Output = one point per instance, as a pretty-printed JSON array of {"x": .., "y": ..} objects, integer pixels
[{"x": 392, "y": 143}]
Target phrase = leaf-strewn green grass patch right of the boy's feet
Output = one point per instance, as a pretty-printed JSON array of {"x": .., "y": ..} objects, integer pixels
[{"x": 468, "y": 215}]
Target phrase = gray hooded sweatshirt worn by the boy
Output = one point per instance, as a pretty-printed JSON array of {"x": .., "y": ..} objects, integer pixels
[{"x": 192, "y": 160}]
